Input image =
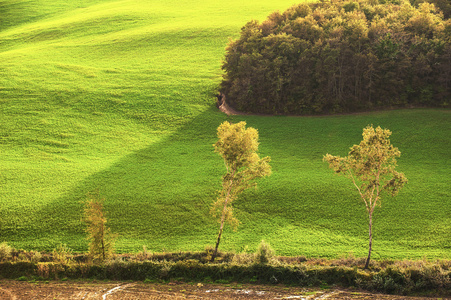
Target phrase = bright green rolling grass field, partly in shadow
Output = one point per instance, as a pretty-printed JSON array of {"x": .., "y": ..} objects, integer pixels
[{"x": 119, "y": 96}]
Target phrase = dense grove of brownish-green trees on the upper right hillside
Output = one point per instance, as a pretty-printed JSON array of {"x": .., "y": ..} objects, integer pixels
[{"x": 341, "y": 56}]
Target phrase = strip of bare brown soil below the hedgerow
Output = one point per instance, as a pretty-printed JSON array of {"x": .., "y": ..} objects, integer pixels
[{"x": 137, "y": 290}]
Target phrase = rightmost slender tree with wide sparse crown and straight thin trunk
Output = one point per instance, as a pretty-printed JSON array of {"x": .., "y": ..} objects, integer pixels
[{"x": 371, "y": 167}]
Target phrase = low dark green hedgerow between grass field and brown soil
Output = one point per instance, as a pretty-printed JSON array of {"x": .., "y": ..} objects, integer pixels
[{"x": 397, "y": 277}]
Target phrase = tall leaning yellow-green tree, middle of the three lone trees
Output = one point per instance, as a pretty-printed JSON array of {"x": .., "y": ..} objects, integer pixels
[{"x": 238, "y": 146}]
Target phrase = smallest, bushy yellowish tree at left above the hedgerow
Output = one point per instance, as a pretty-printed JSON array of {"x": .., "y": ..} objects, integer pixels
[{"x": 101, "y": 240}]
